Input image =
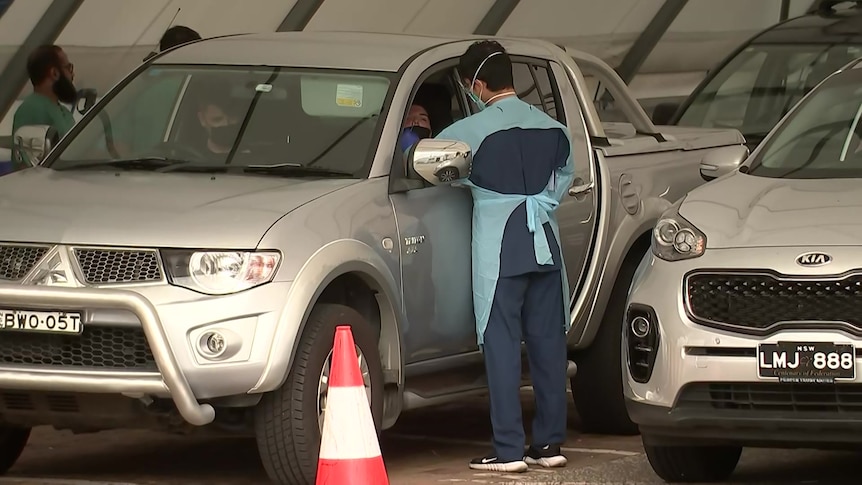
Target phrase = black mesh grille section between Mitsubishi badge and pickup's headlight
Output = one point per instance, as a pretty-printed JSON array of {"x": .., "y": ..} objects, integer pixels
[{"x": 100, "y": 266}]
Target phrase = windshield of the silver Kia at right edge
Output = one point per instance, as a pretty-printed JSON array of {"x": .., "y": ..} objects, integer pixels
[{"x": 822, "y": 138}]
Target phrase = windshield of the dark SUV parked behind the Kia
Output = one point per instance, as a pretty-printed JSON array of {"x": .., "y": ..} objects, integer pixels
[{"x": 753, "y": 91}]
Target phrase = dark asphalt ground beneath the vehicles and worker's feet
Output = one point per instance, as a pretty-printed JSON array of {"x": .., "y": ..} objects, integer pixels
[{"x": 427, "y": 447}]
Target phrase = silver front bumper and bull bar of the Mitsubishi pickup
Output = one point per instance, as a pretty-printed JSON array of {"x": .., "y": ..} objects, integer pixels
[{"x": 172, "y": 326}]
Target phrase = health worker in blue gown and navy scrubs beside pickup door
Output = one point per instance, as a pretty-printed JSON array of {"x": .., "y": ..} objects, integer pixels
[{"x": 522, "y": 167}]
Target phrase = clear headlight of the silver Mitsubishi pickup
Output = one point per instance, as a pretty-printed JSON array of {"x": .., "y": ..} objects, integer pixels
[{"x": 220, "y": 272}]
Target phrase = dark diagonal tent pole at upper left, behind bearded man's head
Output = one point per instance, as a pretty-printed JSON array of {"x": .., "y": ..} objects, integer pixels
[{"x": 46, "y": 31}]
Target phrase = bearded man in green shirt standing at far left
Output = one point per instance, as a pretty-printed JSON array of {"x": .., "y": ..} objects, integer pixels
[{"x": 52, "y": 76}]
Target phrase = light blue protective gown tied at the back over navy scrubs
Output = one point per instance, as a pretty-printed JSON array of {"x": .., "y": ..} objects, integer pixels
[{"x": 491, "y": 210}]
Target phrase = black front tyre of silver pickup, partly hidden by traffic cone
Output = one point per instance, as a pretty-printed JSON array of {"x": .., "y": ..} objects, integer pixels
[{"x": 287, "y": 425}]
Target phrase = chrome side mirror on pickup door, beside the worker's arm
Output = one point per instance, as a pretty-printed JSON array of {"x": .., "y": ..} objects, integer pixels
[{"x": 441, "y": 161}]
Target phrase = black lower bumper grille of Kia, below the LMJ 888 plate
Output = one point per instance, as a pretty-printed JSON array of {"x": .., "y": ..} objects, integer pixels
[{"x": 768, "y": 397}]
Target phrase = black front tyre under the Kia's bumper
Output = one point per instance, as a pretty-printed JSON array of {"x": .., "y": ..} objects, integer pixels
[{"x": 693, "y": 464}]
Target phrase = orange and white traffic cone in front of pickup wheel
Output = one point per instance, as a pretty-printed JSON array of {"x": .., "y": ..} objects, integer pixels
[{"x": 349, "y": 451}]
